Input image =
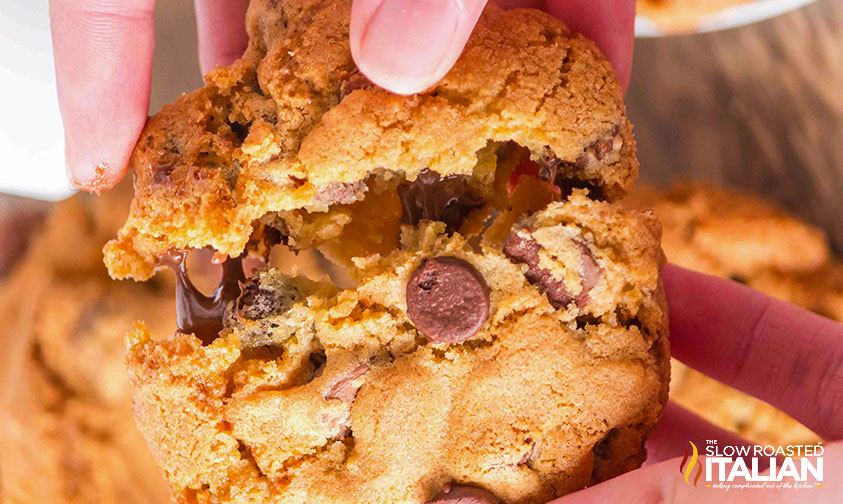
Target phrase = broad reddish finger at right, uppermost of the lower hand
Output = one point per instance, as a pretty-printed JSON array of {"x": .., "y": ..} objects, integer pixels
[{"x": 772, "y": 350}]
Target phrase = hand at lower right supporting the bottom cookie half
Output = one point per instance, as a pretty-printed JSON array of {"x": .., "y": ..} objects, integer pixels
[{"x": 777, "y": 352}]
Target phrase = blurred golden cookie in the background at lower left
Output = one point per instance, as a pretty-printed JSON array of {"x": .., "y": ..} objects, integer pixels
[{"x": 69, "y": 433}]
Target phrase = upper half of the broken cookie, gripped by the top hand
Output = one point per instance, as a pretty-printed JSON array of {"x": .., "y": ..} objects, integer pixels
[{"x": 291, "y": 137}]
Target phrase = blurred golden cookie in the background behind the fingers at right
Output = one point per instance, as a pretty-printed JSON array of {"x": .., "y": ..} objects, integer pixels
[{"x": 723, "y": 232}]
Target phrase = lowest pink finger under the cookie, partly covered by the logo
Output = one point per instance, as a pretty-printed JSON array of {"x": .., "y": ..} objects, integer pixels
[{"x": 663, "y": 482}]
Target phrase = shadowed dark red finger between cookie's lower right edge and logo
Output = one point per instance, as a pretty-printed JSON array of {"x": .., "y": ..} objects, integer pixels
[{"x": 677, "y": 428}]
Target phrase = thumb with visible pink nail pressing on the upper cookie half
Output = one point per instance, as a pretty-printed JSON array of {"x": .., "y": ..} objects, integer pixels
[{"x": 407, "y": 45}]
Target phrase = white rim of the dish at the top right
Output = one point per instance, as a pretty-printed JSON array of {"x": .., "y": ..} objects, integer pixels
[{"x": 728, "y": 18}]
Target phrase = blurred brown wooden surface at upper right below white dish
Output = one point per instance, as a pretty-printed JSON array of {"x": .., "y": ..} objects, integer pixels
[{"x": 759, "y": 107}]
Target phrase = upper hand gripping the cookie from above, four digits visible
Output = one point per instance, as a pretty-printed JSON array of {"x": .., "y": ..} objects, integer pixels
[{"x": 103, "y": 51}]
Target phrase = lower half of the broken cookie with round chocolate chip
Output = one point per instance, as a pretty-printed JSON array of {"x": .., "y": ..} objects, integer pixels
[{"x": 452, "y": 372}]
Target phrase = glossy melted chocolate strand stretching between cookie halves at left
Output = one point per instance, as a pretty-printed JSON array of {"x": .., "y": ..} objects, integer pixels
[{"x": 195, "y": 312}]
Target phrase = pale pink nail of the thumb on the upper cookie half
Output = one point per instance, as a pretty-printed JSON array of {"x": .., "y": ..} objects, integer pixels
[{"x": 406, "y": 43}]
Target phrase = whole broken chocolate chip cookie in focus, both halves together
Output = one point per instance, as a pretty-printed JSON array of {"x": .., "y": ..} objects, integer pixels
[{"x": 500, "y": 335}]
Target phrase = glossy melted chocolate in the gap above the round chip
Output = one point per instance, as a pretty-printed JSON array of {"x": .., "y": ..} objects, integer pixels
[{"x": 433, "y": 197}]
